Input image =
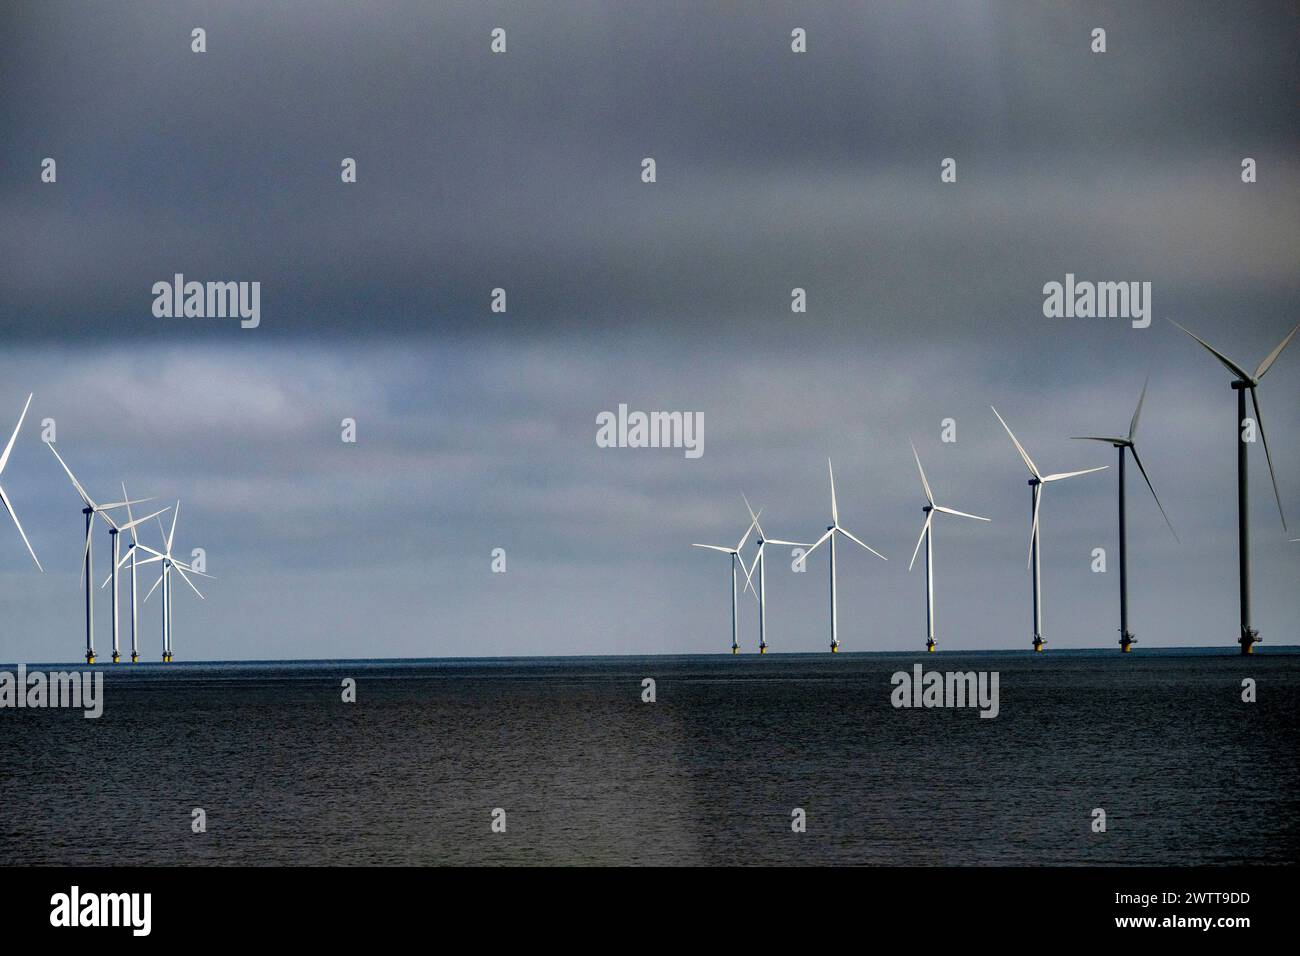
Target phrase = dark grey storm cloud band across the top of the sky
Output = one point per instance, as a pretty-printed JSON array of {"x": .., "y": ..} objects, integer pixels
[{"x": 521, "y": 171}]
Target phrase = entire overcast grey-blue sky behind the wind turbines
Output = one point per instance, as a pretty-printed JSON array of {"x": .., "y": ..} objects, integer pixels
[{"x": 523, "y": 171}]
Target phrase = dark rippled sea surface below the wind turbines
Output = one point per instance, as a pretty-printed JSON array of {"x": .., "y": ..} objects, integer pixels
[{"x": 710, "y": 773}]
